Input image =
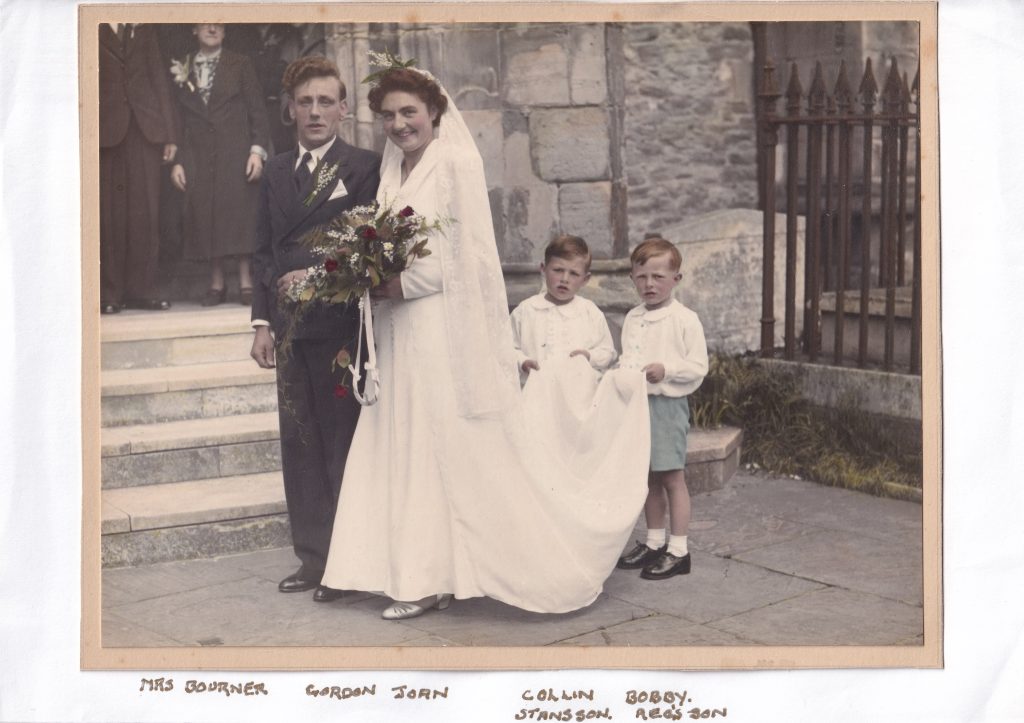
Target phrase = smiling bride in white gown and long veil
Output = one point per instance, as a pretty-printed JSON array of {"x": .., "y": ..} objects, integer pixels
[{"x": 458, "y": 485}]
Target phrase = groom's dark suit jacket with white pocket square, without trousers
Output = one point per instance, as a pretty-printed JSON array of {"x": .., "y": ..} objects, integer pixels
[{"x": 282, "y": 223}]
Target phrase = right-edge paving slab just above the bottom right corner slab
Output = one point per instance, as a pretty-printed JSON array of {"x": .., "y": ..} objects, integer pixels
[{"x": 844, "y": 560}]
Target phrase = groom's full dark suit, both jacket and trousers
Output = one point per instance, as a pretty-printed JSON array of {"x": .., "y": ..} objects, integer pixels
[{"x": 317, "y": 426}]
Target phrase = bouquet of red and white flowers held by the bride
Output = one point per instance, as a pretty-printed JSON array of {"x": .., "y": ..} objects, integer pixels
[{"x": 362, "y": 249}]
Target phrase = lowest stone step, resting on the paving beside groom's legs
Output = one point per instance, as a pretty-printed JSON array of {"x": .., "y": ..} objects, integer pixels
[{"x": 195, "y": 519}]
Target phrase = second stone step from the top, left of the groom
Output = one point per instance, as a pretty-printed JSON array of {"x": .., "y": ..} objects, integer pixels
[{"x": 192, "y": 392}]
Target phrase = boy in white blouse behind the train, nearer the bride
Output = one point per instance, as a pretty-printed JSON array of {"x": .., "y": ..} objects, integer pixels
[{"x": 557, "y": 324}]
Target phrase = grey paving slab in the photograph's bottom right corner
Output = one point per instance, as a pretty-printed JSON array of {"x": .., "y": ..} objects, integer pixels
[{"x": 829, "y": 617}]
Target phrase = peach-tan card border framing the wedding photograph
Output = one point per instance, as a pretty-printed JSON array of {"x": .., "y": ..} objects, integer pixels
[{"x": 96, "y": 657}]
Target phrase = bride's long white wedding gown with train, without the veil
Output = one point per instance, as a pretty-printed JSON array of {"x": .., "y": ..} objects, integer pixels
[{"x": 531, "y": 507}]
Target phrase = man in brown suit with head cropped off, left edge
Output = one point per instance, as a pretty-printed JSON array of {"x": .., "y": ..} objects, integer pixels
[{"x": 137, "y": 135}]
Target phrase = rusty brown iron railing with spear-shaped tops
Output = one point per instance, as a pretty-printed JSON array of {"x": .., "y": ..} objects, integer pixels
[{"x": 844, "y": 264}]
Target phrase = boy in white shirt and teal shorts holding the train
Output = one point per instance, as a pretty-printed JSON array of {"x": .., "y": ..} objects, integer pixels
[{"x": 666, "y": 341}]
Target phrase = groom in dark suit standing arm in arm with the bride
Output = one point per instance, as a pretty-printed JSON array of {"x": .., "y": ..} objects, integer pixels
[{"x": 298, "y": 194}]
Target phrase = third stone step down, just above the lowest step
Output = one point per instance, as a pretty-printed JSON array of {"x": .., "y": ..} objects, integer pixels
[{"x": 198, "y": 449}]
